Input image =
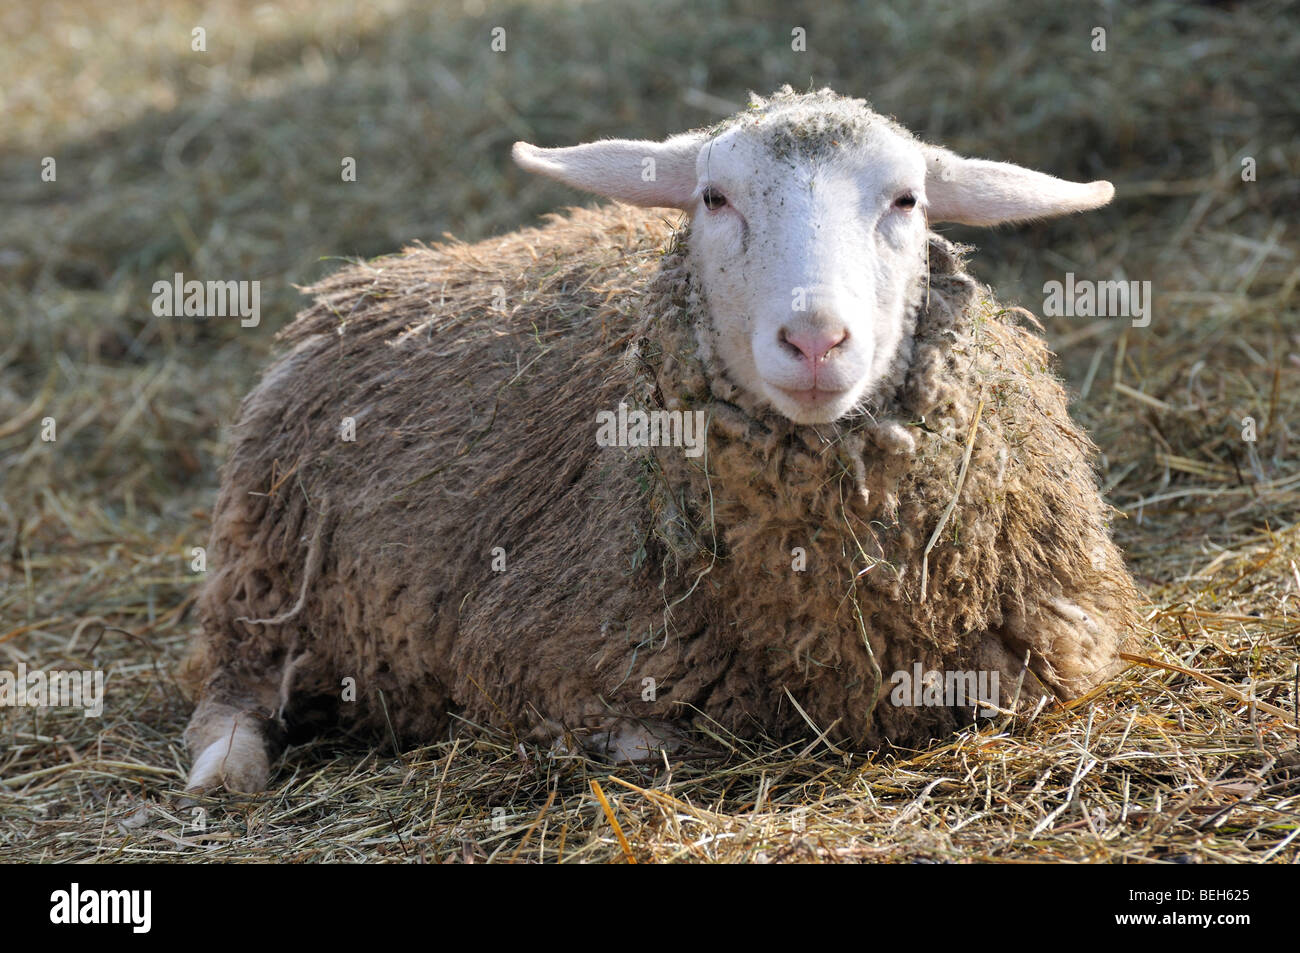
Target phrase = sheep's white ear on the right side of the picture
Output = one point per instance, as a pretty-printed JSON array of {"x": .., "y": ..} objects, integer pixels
[{"x": 974, "y": 192}]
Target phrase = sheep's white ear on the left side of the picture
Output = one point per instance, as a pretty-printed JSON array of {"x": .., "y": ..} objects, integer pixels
[{"x": 638, "y": 172}]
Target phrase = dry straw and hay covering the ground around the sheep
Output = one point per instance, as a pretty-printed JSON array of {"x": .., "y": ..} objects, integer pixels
[{"x": 226, "y": 166}]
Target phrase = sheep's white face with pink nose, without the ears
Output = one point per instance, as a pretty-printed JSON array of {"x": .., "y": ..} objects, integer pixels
[{"x": 809, "y": 272}]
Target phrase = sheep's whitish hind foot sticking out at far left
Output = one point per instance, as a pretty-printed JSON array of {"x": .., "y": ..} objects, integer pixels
[{"x": 233, "y": 742}]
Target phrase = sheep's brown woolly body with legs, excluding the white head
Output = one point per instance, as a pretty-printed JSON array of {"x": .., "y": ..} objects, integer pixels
[{"x": 740, "y": 582}]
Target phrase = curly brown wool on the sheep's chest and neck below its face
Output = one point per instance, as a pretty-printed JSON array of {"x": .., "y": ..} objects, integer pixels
[{"x": 857, "y": 503}]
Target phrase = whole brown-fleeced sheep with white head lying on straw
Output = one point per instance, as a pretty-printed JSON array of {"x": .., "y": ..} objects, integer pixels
[{"x": 444, "y": 505}]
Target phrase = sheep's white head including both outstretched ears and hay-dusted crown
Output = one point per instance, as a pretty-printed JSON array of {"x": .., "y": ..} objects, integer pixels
[{"x": 809, "y": 220}]
